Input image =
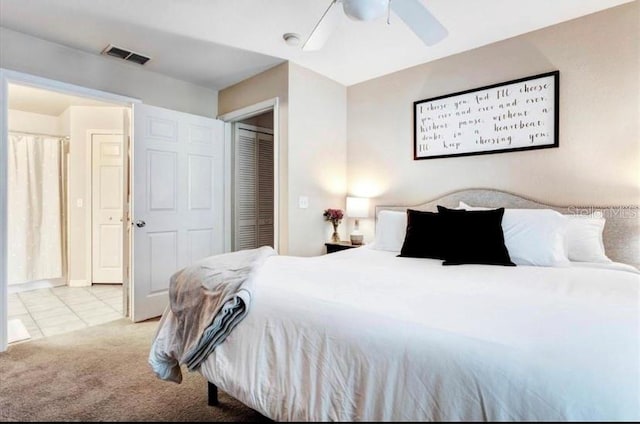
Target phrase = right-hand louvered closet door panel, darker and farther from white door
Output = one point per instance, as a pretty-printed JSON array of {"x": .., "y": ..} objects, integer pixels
[{"x": 265, "y": 189}]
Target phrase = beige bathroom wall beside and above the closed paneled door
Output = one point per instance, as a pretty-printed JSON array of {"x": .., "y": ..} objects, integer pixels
[{"x": 82, "y": 119}]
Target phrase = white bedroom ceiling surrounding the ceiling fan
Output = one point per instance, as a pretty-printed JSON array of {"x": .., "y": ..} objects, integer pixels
[{"x": 219, "y": 42}]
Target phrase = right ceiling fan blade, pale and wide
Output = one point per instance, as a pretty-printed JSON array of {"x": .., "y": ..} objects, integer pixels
[{"x": 420, "y": 20}]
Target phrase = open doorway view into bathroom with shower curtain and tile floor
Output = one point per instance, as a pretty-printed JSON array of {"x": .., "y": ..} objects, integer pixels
[{"x": 60, "y": 181}]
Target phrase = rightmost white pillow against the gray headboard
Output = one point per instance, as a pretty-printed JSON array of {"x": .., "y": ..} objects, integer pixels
[{"x": 584, "y": 239}]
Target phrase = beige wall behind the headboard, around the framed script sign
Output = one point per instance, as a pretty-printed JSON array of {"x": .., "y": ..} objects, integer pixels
[{"x": 598, "y": 161}]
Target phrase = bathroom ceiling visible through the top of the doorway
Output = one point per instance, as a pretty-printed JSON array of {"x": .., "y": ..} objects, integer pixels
[{"x": 29, "y": 99}]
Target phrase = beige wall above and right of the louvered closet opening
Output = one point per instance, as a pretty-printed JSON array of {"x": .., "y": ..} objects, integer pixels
[{"x": 271, "y": 83}]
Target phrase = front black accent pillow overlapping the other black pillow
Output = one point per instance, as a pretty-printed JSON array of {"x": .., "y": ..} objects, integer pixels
[{"x": 474, "y": 237}]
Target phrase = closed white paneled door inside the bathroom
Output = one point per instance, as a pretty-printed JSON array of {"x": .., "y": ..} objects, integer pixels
[{"x": 106, "y": 208}]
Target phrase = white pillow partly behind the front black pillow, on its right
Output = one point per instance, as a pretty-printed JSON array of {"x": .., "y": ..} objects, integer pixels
[{"x": 533, "y": 236}]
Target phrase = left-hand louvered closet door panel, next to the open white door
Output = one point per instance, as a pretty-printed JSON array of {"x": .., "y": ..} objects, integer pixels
[{"x": 246, "y": 192}]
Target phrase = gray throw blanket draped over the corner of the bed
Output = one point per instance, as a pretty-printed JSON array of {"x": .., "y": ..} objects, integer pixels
[{"x": 206, "y": 301}]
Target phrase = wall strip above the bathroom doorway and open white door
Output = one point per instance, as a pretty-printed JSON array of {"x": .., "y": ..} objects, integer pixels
[{"x": 24, "y": 53}]
